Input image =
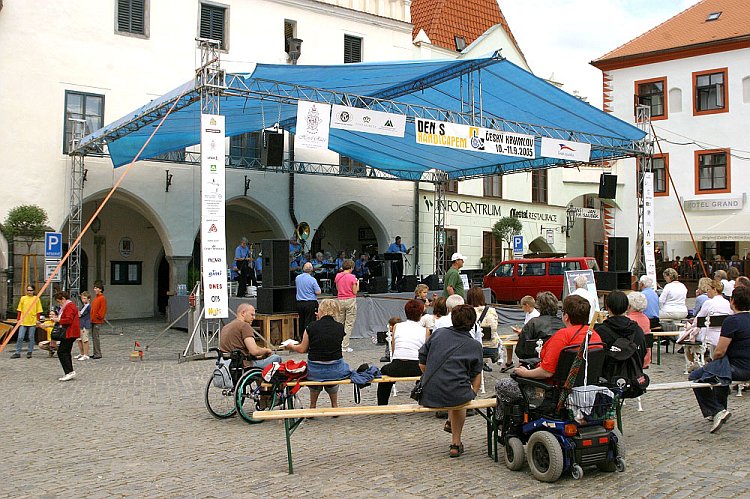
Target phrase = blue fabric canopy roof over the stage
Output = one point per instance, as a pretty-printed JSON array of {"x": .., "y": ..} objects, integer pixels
[{"x": 490, "y": 92}]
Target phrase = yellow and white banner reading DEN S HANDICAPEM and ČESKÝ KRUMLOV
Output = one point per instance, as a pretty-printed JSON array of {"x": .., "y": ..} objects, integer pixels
[{"x": 471, "y": 138}]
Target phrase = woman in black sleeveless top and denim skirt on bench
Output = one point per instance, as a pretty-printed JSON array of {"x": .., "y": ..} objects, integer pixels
[{"x": 322, "y": 342}]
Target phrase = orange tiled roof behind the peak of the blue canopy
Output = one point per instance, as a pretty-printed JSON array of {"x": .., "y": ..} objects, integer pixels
[{"x": 443, "y": 20}]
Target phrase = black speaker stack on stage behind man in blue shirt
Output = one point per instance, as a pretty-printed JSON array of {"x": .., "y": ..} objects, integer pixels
[{"x": 277, "y": 295}]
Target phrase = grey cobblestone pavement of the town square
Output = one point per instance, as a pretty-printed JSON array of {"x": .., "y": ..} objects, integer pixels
[{"x": 125, "y": 428}]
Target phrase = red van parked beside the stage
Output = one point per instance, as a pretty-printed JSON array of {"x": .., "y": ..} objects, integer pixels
[{"x": 511, "y": 280}]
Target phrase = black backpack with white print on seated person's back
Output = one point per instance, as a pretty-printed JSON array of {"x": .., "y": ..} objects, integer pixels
[{"x": 623, "y": 369}]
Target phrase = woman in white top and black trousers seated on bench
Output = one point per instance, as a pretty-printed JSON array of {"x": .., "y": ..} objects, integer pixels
[{"x": 408, "y": 338}]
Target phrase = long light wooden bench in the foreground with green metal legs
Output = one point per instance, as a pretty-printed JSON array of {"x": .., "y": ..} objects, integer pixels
[{"x": 294, "y": 417}]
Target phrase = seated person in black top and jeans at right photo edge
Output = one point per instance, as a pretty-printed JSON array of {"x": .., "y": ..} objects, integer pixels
[{"x": 731, "y": 361}]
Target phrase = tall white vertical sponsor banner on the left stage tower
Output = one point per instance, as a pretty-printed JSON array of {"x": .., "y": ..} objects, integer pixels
[{"x": 213, "y": 235}]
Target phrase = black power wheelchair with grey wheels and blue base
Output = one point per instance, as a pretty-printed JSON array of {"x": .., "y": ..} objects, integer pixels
[{"x": 581, "y": 434}]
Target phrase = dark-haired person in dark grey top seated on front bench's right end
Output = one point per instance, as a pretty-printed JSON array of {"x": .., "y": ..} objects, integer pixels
[{"x": 451, "y": 361}]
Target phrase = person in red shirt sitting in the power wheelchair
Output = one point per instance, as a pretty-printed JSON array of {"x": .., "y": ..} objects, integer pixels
[{"x": 575, "y": 317}]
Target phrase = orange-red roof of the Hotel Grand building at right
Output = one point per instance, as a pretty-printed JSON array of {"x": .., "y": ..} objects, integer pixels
[{"x": 686, "y": 32}]
